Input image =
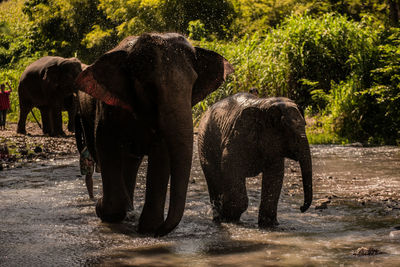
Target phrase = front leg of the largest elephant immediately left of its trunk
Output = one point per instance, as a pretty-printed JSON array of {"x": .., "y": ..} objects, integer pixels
[{"x": 158, "y": 171}]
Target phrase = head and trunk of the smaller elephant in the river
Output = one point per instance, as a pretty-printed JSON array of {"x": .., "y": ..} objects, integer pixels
[{"x": 281, "y": 127}]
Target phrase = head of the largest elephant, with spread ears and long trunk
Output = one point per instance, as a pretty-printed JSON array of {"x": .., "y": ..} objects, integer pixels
[{"x": 158, "y": 78}]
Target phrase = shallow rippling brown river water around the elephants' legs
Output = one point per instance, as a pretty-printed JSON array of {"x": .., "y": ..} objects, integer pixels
[{"x": 47, "y": 218}]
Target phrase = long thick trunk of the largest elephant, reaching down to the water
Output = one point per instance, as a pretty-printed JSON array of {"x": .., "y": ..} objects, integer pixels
[{"x": 177, "y": 128}]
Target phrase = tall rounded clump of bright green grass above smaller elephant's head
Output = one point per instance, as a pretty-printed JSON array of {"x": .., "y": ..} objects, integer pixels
[{"x": 322, "y": 51}]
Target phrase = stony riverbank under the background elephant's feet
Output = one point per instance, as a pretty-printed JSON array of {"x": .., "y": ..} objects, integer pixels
[{"x": 17, "y": 150}]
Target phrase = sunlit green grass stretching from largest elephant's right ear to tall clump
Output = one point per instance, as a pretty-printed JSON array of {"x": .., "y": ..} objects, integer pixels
[{"x": 300, "y": 59}]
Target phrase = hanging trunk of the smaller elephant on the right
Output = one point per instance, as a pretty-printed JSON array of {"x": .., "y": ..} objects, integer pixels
[{"x": 306, "y": 173}]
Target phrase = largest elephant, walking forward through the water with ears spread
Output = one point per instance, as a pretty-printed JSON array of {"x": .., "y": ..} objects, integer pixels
[{"x": 137, "y": 101}]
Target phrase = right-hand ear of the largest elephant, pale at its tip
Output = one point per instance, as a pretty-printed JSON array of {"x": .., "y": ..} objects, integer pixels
[{"x": 212, "y": 70}]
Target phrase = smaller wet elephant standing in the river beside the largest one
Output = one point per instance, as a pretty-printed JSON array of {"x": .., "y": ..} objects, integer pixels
[{"x": 243, "y": 135}]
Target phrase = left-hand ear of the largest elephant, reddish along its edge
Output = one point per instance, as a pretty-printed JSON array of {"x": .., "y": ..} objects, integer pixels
[{"x": 107, "y": 80}]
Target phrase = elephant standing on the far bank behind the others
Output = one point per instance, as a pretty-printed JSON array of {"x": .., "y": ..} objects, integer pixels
[{"x": 48, "y": 84}]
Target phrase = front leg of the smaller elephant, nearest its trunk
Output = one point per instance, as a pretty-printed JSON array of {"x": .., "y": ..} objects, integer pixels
[{"x": 271, "y": 189}]
